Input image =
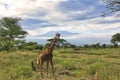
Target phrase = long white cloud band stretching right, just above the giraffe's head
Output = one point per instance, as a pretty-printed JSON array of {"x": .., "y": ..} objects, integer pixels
[{"x": 84, "y": 28}]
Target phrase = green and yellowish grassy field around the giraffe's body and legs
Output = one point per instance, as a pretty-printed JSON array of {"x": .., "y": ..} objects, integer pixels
[{"x": 70, "y": 64}]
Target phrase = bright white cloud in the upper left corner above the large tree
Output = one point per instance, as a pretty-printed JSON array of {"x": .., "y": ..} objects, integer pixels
[{"x": 21, "y": 8}]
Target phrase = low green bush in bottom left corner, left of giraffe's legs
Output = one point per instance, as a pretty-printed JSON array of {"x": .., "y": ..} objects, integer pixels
[{"x": 17, "y": 72}]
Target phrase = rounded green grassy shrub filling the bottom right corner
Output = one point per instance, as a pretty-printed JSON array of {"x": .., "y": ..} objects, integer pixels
[{"x": 103, "y": 71}]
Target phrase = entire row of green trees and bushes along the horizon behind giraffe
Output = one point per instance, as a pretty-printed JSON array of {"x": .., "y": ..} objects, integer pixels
[{"x": 12, "y": 38}]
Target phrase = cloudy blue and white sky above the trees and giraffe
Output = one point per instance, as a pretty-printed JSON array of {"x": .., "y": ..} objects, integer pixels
[{"x": 78, "y": 21}]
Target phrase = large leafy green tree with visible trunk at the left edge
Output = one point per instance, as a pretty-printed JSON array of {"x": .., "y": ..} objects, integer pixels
[{"x": 10, "y": 29}]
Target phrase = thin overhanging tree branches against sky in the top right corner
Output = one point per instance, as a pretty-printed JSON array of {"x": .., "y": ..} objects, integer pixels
[{"x": 113, "y": 6}]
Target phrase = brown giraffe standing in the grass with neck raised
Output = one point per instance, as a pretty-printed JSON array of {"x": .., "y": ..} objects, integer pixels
[{"x": 46, "y": 56}]
